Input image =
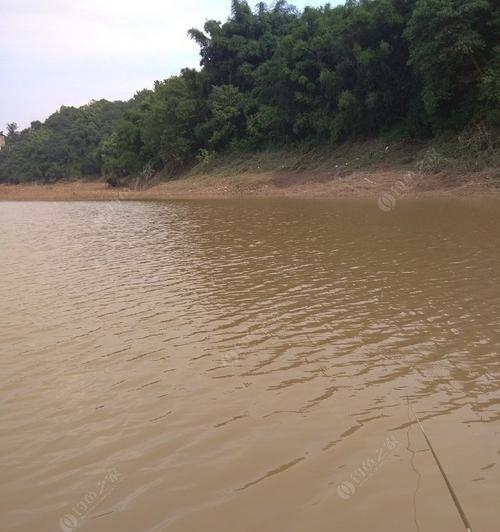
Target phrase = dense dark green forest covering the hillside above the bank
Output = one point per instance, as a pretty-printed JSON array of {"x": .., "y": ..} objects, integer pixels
[{"x": 274, "y": 76}]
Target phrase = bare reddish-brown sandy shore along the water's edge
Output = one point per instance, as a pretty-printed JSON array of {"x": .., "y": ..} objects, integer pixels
[{"x": 389, "y": 185}]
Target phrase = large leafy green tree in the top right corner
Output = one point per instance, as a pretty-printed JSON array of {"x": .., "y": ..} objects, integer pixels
[{"x": 452, "y": 49}]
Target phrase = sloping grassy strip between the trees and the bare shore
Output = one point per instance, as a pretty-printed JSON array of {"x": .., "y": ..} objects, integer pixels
[{"x": 473, "y": 150}]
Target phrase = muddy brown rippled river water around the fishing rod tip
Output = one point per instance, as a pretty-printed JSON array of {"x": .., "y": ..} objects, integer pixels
[{"x": 249, "y": 366}]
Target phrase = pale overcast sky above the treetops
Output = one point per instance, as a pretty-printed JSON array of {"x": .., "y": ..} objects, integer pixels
[{"x": 56, "y": 52}]
